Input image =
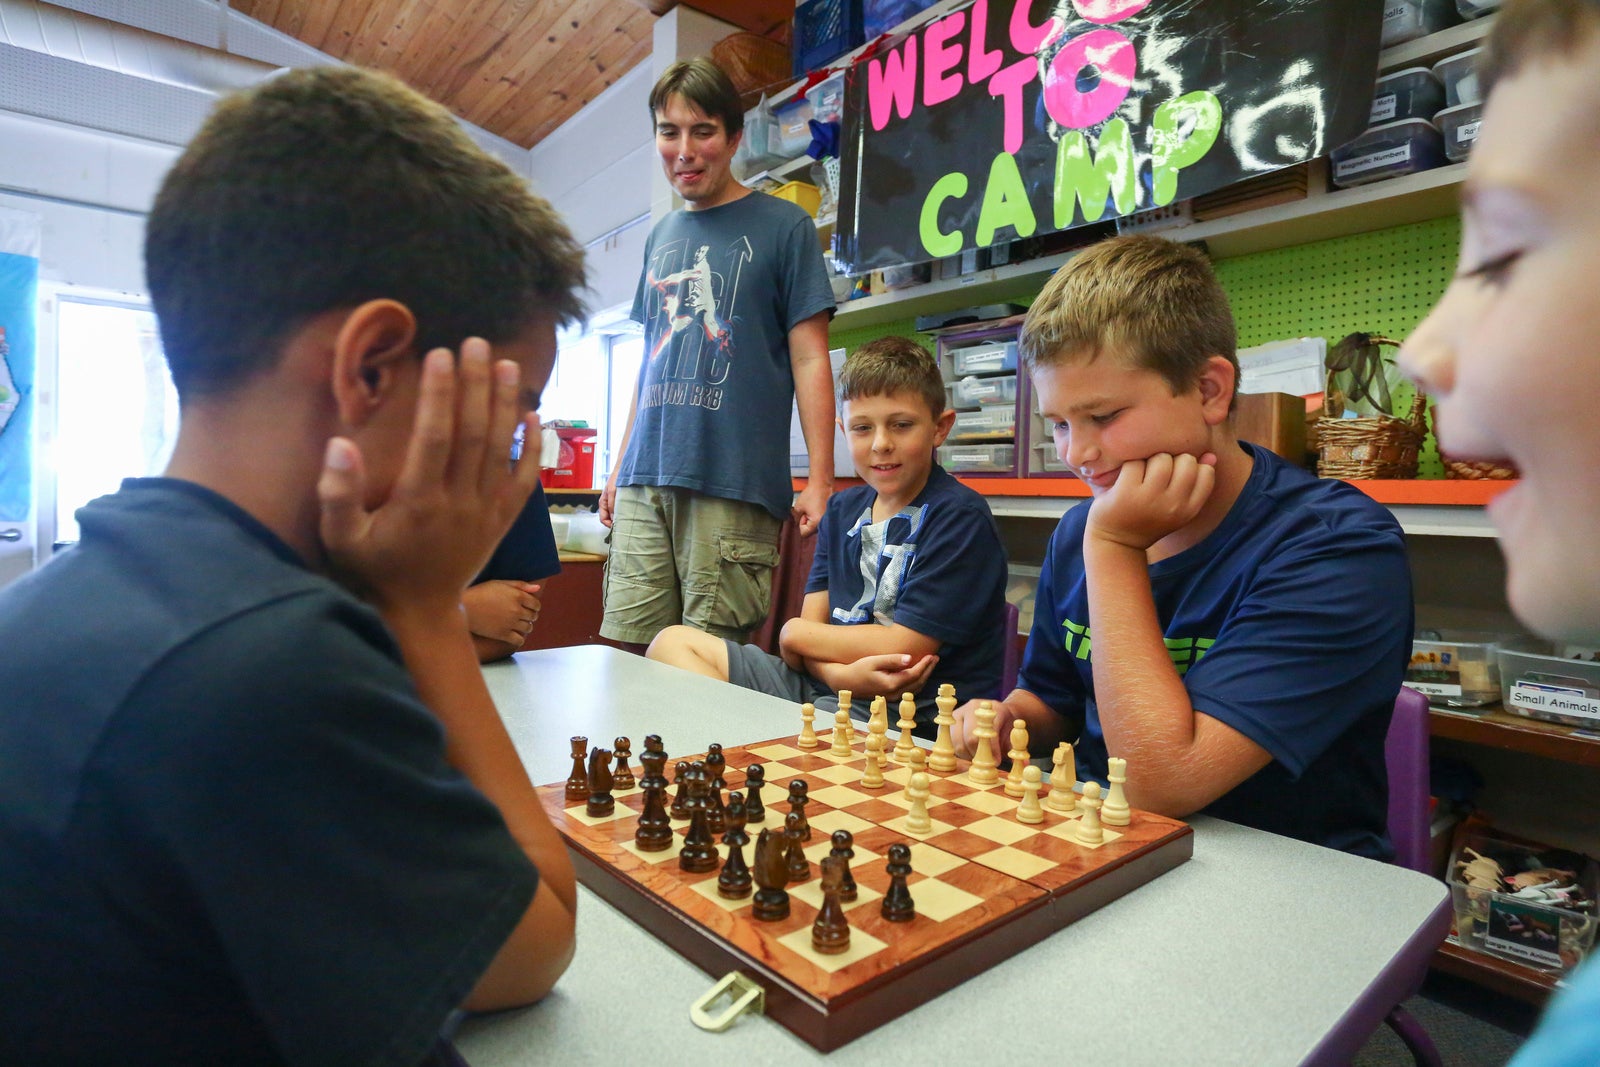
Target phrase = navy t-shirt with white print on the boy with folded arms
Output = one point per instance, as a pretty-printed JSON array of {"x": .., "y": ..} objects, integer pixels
[{"x": 937, "y": 569}]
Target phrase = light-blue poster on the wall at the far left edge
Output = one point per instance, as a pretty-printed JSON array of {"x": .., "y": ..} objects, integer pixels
[{"x": 18, "y": 302}]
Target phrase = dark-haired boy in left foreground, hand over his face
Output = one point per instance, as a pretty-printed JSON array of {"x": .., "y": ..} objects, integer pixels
[{"x": 278, "y": 820}]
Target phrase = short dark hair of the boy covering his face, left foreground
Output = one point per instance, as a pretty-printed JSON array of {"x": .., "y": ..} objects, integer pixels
[{"x": 327, "y": 188}]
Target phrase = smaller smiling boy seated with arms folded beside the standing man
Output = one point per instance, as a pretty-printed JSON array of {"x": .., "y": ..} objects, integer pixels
[{"x": 908, "y": 572}]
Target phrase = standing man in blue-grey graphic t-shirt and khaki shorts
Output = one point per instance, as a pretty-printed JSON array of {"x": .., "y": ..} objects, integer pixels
[{"x": 735, "y": 303}]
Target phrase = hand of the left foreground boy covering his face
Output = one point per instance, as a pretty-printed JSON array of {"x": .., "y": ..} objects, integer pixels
[{"x": 455, "y": 497}]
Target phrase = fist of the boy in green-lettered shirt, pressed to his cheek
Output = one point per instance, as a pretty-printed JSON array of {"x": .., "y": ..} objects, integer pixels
[{"x": 1153, "y": 498}]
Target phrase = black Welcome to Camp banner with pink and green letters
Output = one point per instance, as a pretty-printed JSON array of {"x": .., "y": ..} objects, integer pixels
[{"x": 1010, "y": 119}]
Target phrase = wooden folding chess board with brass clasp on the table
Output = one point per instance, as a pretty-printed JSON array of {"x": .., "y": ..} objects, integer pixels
[{"x": 985, "y": 884}]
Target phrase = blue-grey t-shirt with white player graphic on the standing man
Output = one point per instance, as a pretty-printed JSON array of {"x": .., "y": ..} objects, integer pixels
[{"x": 721, "y": 290}]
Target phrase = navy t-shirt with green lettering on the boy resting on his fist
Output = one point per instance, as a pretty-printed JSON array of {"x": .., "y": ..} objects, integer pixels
[{"x": 1290, "y": 623}]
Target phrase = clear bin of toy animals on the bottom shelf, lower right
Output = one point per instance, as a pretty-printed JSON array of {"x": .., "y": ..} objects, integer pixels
[{"x": 1500, "y": 922}]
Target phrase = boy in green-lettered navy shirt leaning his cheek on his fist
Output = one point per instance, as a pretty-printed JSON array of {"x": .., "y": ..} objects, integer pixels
[{"x": 1230, "y": 625}]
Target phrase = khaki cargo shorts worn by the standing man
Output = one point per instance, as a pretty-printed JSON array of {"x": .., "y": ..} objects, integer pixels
[{"x": 686, "y": 557}]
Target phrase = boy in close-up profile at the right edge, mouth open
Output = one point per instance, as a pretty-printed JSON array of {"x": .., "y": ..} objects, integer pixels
[{"x": 1510, "y": 358}]
